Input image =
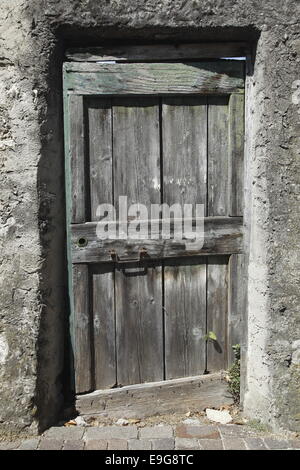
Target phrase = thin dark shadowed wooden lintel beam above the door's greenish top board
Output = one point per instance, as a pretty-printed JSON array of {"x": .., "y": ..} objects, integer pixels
[{"x": 158, "y": 52}]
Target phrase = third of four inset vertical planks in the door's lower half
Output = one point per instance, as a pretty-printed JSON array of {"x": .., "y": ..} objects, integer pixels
[{"x": 185, "y": 317}]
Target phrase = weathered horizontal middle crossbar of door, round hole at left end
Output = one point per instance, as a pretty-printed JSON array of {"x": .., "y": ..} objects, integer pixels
[{"x": 221, "y": 236}]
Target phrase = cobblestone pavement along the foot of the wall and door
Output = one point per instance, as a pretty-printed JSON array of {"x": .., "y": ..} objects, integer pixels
[{"x": 158, "y": 437}]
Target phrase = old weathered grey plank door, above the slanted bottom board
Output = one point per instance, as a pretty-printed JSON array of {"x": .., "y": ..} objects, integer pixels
[{"x": 156, "y": 133}]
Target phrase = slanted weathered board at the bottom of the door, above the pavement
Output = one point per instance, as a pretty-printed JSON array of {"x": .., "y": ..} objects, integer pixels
[{"x": 139, "y": 401}]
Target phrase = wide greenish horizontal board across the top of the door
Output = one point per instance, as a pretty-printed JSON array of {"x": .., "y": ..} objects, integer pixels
[{"x": 155, "y": 78}]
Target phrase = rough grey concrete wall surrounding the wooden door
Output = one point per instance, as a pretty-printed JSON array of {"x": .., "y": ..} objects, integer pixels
[{"x": 33, "y": 34}]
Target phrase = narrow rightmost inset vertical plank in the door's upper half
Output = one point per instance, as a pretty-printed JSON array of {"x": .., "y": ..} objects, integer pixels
[{"x": 217, "y": 156}]
